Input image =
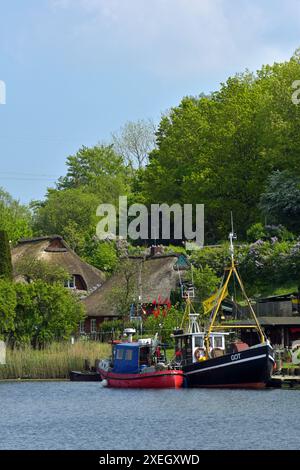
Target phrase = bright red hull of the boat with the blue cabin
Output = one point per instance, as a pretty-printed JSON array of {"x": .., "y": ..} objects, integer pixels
[{"x": 159, "y": 379}]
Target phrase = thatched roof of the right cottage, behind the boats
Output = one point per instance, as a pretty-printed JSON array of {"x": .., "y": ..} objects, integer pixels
[{"x": 154, "y": 278}]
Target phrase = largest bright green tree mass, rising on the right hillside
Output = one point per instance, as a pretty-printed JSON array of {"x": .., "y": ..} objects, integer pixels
[{"x": 219, "y": 150}]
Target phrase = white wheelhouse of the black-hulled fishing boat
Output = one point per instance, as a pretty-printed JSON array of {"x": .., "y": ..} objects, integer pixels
[{"x": 190, "y": 348}]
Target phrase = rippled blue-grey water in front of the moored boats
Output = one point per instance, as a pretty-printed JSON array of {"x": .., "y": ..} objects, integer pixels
[{"x": 68, "y": 415}]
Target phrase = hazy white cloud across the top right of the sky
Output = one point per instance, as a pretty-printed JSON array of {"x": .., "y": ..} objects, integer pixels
[{"x": 177, "y": 38}]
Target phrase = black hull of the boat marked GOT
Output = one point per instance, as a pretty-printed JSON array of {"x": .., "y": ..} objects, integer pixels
[{"x": 251, "y": 368}]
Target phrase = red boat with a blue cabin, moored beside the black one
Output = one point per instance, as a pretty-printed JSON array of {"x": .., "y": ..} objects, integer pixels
[{"x": 139, "y": 365}]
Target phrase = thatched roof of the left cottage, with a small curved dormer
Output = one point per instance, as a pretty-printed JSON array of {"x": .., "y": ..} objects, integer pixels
[{"x": 53, "y": 249}]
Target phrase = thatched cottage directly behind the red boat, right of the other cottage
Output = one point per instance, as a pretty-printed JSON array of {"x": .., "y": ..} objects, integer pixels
[{"x": 146, "y": 280}]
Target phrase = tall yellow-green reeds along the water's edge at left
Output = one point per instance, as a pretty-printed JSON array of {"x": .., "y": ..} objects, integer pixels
[{"x": 53, "y": 362}]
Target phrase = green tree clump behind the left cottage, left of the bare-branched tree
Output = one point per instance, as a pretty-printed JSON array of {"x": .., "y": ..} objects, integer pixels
[{"x": 94, "y": 176}]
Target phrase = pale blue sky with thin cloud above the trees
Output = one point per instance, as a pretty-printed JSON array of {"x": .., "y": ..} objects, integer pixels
[{"x": 76, "y": 70}]
